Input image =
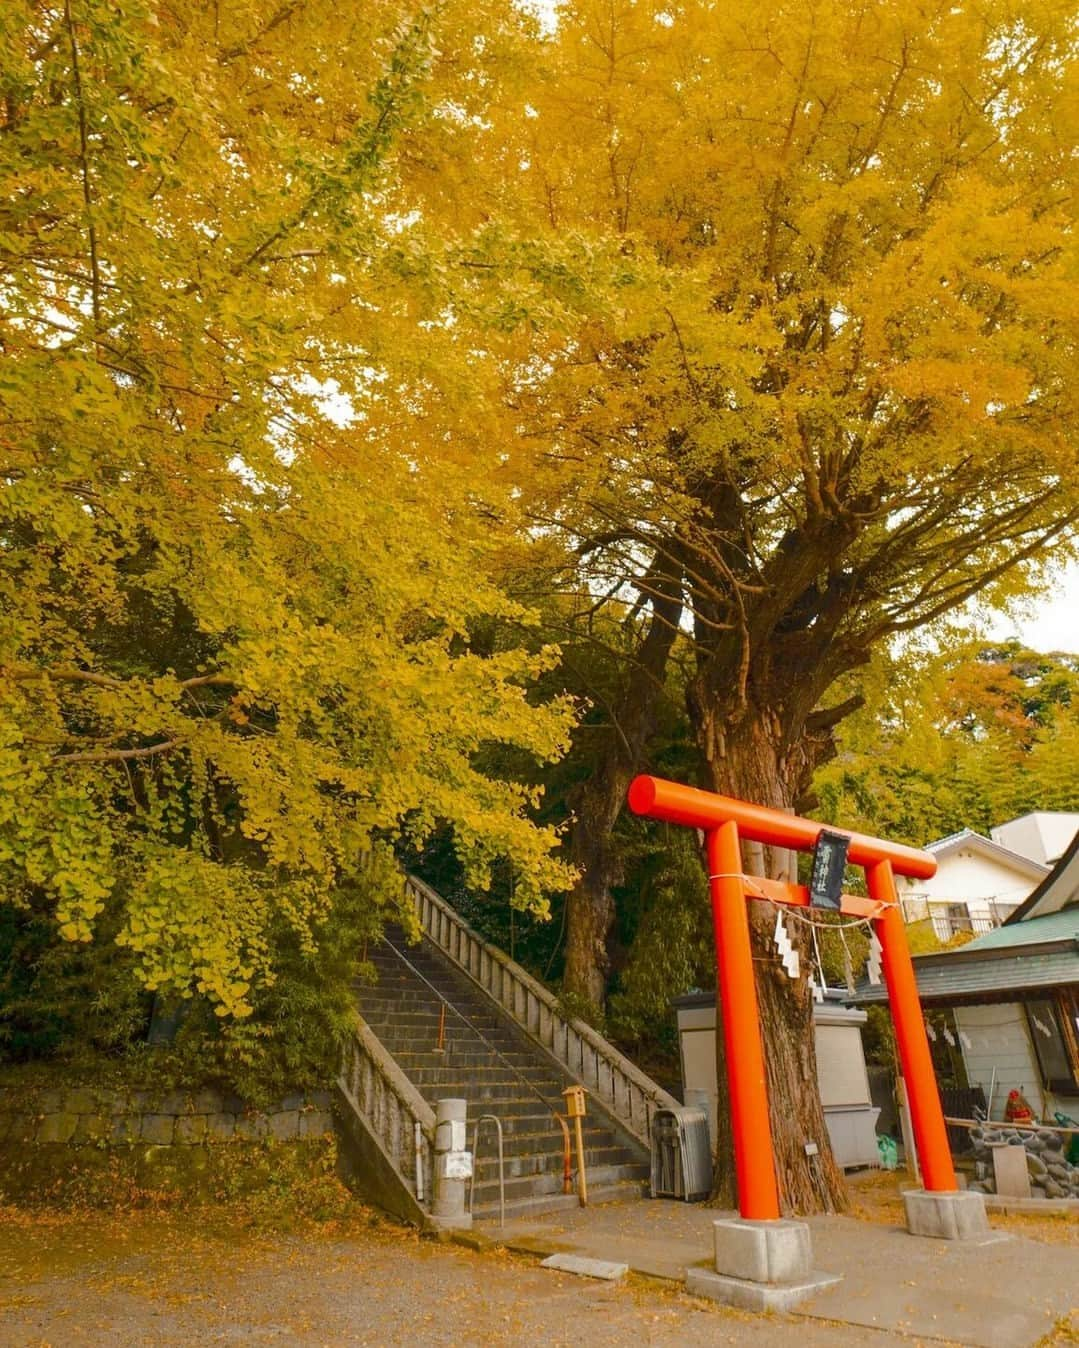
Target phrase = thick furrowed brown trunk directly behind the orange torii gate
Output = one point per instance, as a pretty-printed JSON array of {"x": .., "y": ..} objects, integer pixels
[{"x": 751, "y": 758}]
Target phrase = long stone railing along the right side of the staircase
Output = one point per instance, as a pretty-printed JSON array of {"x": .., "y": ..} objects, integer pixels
[{"x": 626, "y": 1093}]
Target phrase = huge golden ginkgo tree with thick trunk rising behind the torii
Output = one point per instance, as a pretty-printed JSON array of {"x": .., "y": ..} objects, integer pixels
[{"x": 840, "y": 402}]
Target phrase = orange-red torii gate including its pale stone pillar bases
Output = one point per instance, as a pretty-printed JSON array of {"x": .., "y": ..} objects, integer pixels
[{"x": 749, "y": 1252}]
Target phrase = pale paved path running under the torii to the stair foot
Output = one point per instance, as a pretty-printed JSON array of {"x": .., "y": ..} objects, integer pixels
[{"x": 1003, "y": 1295}]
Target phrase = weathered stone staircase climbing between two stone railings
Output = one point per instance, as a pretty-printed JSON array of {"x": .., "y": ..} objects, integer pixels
[{"x": 498, "y": 1068}]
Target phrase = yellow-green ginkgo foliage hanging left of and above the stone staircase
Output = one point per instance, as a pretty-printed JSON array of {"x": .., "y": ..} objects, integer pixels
[{"x": 243, "y": 529}]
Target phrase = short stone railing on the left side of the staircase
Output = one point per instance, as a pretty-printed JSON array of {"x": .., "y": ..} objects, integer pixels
[{"x": 395, "y": 1113}]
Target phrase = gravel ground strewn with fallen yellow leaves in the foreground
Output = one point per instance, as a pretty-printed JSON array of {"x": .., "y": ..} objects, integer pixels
[{"x": 164, "y": 1280}]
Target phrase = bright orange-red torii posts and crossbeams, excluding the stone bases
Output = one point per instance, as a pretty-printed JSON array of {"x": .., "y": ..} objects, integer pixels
[{"x": 726, "y": 823}]
